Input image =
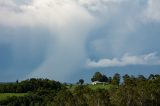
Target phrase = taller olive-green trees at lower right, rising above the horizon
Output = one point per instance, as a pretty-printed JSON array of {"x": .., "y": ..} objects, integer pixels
[{"x": 137, "y": 91}]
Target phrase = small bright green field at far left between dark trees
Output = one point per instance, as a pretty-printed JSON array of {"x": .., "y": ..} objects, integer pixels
[{"x": 4, "y": 96}]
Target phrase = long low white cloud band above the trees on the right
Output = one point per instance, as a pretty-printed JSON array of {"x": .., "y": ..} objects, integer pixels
[{"x": 126, "y": 60}]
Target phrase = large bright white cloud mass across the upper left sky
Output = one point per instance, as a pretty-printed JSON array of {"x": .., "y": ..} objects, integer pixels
[{"x": 57, "y": 13}]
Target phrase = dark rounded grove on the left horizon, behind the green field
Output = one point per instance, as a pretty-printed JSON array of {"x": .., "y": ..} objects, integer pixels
[{"x": 31, "y": 85}]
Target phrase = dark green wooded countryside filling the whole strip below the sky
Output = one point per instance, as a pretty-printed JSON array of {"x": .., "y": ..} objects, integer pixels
[{"x": 127, "y": 90}]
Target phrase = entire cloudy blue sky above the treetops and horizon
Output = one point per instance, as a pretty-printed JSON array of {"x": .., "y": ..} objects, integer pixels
[{"x": 67, "y": 40}]
